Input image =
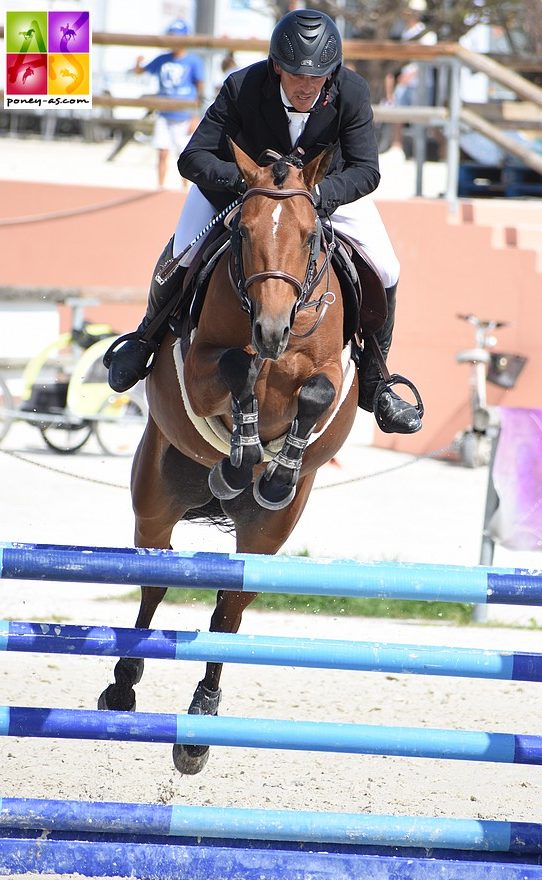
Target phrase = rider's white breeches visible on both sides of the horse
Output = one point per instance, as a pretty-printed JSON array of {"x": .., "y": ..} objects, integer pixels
[{"x": 360, "y": 220}]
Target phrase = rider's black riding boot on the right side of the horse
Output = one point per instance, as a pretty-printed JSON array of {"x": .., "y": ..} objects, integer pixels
[{"x": 393, "y": 414}]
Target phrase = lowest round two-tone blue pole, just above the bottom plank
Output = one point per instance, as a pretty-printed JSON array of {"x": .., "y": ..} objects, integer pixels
[{"x": 235, "y": 823}]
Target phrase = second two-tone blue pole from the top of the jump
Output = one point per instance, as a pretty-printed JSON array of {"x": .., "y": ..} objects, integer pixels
[{"x": 52, "y": 638}]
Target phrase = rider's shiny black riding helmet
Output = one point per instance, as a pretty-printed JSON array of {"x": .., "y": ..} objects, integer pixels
[{"x": 306, "y": 42}]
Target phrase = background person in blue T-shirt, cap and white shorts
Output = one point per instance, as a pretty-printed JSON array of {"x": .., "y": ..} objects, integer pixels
[{"x": 180, "y": 75}]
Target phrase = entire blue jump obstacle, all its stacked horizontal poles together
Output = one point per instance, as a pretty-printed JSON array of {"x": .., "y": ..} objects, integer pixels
[{"x": 205, "y": 843}]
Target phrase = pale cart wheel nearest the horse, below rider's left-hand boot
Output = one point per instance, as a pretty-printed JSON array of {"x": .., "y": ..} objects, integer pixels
[{"x": 120, "y": 424}]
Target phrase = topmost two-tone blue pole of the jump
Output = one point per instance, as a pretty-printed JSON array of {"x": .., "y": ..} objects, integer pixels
[{"x": 253, "y": 573}]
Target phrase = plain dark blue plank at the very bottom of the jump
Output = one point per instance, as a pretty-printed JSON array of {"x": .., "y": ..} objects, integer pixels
[{"x": 200, "y": 859}]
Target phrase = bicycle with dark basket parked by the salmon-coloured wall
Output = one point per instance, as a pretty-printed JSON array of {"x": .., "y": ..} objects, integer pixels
[{"x": 474, "y": 445}]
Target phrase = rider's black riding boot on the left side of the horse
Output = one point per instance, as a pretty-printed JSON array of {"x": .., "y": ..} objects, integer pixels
[{"x": 131, "y": 357}]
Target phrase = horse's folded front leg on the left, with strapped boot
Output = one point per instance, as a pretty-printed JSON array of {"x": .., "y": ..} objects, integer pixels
[{"x": 229, "y": 477}]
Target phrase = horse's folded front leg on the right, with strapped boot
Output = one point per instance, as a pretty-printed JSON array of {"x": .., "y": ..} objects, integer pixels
[{"x": 276, "y": 487}]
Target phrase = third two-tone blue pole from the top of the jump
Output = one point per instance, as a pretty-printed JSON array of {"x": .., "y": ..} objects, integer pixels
[{"x": 413, "y": 742}]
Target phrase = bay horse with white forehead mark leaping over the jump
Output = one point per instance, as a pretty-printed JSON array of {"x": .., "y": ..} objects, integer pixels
[{"x": 267, "y": 362}]
